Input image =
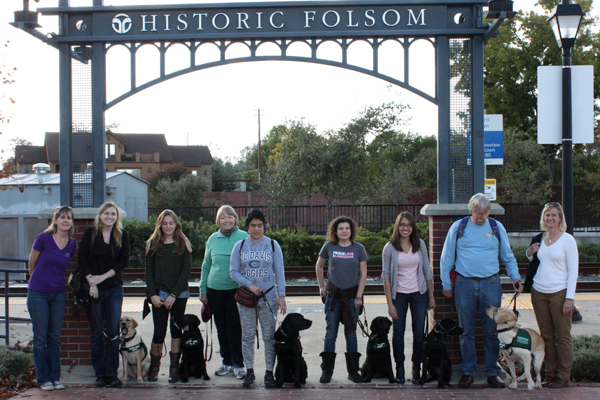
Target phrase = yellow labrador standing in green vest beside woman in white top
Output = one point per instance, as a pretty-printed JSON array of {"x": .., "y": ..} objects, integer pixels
[{"x": 518, "y": 345}]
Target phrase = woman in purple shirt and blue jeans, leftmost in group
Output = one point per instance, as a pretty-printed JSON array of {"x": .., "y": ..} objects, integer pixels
[{"x": 48, "y": 261}]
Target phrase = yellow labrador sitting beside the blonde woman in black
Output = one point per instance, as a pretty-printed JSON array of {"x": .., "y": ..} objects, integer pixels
[{"x": 136, "y": 358}]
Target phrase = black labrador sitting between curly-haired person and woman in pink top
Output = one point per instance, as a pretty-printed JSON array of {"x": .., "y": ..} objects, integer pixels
[{"x": 378, "y": 363}]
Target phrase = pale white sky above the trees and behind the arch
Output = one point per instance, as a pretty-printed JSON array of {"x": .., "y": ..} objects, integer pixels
[{"x": 217, "y": 107}]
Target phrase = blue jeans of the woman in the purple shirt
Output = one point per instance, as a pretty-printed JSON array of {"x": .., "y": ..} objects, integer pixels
[{"x": 46, "y": 311}]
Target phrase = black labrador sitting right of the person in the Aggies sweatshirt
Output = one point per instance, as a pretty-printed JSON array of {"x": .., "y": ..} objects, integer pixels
[{"x": 291, "y": 366}]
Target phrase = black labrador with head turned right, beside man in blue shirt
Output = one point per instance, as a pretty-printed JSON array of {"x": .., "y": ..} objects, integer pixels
[{"x": 435, "y": 356}]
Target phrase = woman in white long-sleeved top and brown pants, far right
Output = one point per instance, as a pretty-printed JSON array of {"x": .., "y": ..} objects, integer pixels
[{"x": 553, "y": 292}]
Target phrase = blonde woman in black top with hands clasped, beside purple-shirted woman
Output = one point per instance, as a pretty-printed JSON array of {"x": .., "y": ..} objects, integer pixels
[{"x": 103, "y": 255}]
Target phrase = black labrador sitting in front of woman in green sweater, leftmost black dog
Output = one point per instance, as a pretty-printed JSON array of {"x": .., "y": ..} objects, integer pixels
[{"x": 192, "y": 346}]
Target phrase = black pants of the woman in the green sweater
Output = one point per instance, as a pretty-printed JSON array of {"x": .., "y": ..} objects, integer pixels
[{"x": 227, "y": 320}]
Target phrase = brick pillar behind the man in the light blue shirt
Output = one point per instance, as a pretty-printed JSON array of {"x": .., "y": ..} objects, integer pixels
[{"x": 441, "y": 217}]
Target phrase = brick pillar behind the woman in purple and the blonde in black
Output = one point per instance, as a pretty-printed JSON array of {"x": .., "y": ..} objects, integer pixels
[{"x": 75, "y": 336}]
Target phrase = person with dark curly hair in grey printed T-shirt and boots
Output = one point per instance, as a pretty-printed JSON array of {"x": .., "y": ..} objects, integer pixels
[{"x": 343, "y": 294}]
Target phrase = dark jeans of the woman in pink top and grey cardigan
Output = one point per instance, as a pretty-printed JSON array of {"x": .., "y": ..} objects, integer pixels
[{"x": 418, "y": 310}]
